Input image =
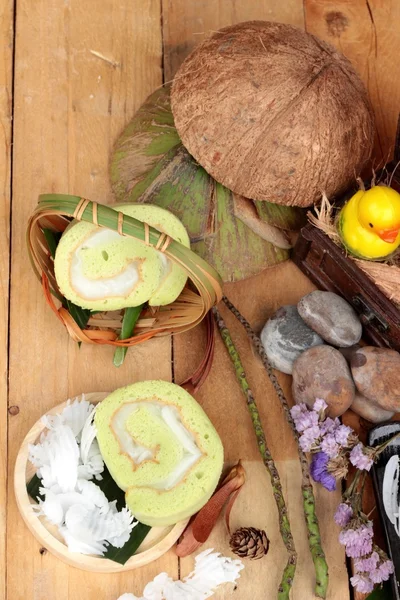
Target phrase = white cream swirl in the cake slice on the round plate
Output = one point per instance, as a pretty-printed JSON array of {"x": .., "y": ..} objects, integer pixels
[{"x": 170, "y": 416}]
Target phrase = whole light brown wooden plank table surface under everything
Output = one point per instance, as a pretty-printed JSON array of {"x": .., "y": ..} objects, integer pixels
[{"x": 72, "y": 73}]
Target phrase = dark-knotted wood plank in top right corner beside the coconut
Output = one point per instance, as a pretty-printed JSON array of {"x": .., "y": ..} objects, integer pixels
[{"x": 367, "y": 33}]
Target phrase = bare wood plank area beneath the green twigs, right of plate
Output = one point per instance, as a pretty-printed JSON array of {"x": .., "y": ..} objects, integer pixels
[{"x": 222, "y": 399}]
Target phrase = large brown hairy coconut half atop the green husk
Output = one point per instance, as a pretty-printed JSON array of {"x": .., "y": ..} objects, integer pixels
[{"x": 273, "y": 113}]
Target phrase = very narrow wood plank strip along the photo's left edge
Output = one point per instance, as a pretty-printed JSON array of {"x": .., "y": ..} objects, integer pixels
[{"x": 6, "y": 66}]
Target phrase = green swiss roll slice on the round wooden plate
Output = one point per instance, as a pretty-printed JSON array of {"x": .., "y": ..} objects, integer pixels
[{"x": 161, "y": 449}]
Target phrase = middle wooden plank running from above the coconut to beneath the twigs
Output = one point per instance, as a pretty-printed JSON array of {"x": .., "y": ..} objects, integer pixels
[{"x": 221, "y": 397}]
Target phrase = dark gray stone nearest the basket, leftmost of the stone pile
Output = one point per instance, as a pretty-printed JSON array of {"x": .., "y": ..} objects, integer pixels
[{"x": 285, "y": 336}]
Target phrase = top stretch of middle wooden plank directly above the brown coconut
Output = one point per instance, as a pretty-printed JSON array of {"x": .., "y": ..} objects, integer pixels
[{"x": 185, "y": 24}]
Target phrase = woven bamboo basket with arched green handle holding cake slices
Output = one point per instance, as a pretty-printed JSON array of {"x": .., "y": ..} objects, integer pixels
[{"x": 54, "y": 212}]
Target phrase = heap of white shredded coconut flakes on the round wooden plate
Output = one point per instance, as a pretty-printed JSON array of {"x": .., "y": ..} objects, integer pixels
[{"x": 67, "y": 457}]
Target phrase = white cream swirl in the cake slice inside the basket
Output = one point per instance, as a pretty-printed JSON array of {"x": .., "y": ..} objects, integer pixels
[{"x": 95, "y": 289}]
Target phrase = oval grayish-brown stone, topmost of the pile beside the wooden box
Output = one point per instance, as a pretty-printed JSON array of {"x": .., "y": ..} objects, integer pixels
[{"x": 331, "y": 317}]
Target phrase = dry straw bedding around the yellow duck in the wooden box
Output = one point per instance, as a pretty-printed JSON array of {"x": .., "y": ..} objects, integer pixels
[{"x": 385, "y": 275}]
